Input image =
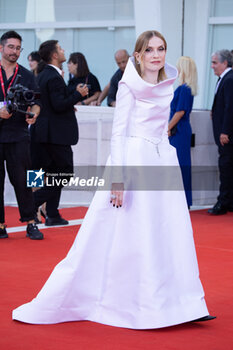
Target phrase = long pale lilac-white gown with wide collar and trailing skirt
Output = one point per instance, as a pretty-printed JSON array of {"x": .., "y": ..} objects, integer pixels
[{"x": 134, "y": 266}]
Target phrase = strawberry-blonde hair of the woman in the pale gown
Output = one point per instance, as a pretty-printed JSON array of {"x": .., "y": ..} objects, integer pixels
[{"x": 141, "y": 46}]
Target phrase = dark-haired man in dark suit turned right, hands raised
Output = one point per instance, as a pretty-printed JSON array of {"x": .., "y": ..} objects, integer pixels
[{"x": 56, "y": 129}]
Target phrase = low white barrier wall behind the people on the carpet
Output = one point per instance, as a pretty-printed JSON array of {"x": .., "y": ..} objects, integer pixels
[{"x": 95, "y": 124}]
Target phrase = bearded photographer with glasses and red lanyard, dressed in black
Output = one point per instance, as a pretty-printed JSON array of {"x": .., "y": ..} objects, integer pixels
[{"x": 14, "y": 135}]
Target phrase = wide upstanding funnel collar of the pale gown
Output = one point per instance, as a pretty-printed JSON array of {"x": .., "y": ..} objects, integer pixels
[{"x": 142, "y": 89}]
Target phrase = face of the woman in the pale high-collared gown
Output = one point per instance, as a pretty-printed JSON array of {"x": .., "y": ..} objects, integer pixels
[{"x": 153, "y": 58}]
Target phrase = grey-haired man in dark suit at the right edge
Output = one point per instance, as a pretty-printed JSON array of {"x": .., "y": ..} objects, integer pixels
[{"x": 222, "y": 116}]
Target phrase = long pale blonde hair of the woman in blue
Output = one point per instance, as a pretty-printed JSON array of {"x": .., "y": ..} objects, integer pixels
[{"x": 187, "y": 73}]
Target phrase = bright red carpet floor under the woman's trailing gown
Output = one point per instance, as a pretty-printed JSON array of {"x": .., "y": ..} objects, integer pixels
[{"x": 25, "y": 266}]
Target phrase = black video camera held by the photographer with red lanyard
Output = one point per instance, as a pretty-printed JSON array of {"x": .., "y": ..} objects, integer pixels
[{"x": 19, "y": 96}]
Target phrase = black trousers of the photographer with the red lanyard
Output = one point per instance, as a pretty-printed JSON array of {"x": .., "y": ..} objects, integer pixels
[{"x": 17, "y": 158}]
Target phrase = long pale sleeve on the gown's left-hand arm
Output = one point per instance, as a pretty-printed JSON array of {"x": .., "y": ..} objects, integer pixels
[{"x": 124, "y": 103}]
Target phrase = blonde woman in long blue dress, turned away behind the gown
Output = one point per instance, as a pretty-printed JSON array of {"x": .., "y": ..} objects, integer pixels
[{"x": 179, "y": 128}]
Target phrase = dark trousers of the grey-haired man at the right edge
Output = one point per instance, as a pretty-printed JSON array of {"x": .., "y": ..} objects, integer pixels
[{"x": 225, "y": 163}]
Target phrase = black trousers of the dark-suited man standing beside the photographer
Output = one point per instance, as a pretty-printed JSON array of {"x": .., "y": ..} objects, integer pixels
[{"x": 59, "y": 159}]
